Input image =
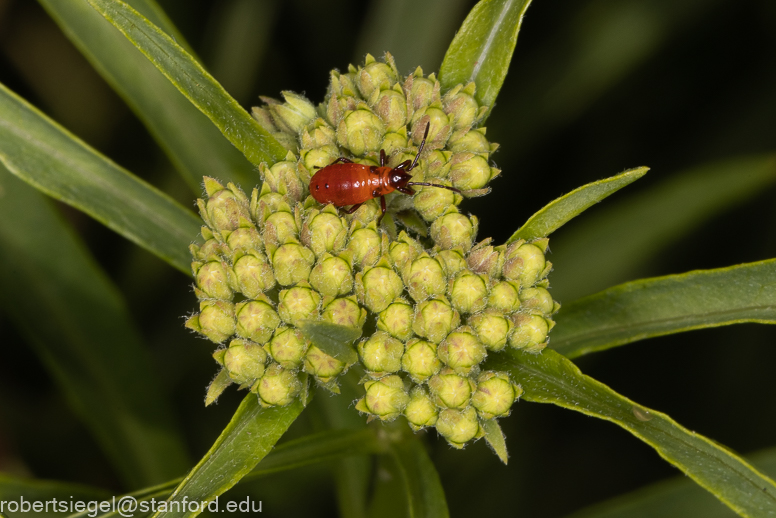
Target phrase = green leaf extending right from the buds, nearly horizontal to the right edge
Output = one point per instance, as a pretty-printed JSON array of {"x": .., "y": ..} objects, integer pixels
[{"x": 667, "y": 305}]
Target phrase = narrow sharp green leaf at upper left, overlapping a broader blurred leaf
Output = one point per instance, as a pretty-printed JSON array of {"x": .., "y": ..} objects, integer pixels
[{"x": 194, "y": 82}]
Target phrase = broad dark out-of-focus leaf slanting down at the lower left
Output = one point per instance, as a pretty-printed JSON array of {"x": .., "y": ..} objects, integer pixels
[{"x": 76, "y": 320}]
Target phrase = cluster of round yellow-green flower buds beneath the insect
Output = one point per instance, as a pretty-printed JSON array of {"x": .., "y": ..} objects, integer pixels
[{"x": 438, "y": 302}]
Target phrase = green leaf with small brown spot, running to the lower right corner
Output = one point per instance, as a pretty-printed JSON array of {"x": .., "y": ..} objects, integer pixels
[{"x": 551, "y": 378}]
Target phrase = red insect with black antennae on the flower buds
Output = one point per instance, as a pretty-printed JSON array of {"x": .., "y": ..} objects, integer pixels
[{"x": 344, "y": 182}]
